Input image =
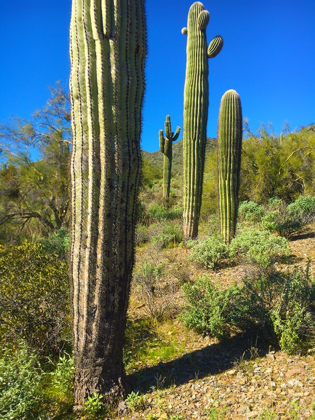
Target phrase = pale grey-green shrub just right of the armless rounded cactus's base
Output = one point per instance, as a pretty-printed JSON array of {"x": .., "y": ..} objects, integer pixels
[{"x": 259, "y": 247}]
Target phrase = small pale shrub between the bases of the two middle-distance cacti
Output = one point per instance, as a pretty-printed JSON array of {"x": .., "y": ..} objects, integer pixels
[{"x": 209, "y": 252}]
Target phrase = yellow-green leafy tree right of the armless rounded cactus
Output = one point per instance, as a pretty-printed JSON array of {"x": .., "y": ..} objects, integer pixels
[{"x": 280, "y": 166}]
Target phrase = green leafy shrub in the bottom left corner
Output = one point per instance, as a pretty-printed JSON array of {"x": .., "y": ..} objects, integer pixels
[{"x": 20, "y": 384}]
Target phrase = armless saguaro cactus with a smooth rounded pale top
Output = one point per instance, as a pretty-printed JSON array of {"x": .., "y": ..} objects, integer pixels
[{"x": 229, "y": 161}]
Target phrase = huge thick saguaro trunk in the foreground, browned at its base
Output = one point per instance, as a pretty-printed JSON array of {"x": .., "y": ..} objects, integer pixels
[{"x": 107, "y": 49}]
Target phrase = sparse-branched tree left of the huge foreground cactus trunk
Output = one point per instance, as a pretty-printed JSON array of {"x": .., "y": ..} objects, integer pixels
[{"x": 34, "y": 176}]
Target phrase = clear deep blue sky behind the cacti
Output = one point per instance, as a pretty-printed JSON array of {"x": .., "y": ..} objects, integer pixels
[{"x": 268, "y": 58}]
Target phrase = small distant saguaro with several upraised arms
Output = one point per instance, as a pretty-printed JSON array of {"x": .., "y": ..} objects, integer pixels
[{"x": 167, "y": 150}]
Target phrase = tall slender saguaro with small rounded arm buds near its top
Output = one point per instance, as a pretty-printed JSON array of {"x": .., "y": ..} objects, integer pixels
[{"x": 196, "y": 93}]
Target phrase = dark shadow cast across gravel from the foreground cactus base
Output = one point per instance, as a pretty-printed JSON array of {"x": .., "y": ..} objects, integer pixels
[{"x": 211, "y": 360}]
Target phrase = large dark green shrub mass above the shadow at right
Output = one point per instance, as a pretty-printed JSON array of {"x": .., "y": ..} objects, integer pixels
[{"x": 278, "y": 306}]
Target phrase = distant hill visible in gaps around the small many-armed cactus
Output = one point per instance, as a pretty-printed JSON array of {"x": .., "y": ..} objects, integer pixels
[{"x": 156, "y": 158}]
